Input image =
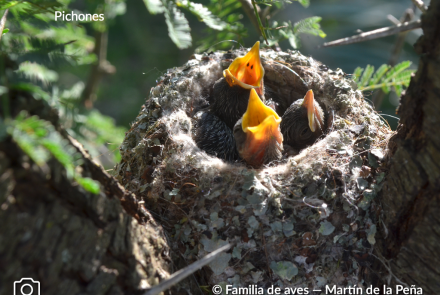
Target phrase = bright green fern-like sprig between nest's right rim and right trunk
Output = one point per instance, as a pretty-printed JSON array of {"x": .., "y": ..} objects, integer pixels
[{"x": 385, "y": 78}]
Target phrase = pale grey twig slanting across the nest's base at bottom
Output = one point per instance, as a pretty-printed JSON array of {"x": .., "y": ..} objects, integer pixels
[{"x": 183, "y": 273}]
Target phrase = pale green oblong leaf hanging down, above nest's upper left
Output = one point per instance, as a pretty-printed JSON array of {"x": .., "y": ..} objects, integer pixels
[{"x": 178, "y": 27}]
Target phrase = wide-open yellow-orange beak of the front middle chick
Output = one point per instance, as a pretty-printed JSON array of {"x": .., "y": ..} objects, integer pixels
[{"x": 261, "y": 125}]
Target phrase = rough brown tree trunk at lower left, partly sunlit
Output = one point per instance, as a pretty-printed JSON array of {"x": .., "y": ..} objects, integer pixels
[{"x": 72, "y": 241}]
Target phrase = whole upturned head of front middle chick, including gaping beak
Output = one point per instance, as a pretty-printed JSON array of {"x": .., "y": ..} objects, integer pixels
[{"x": 258, "y": 137}]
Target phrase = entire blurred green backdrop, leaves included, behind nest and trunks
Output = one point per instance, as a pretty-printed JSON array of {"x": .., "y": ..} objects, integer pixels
[{"x": 58, "y": 60}]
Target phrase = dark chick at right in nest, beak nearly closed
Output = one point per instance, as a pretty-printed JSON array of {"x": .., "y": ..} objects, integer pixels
[{"x": 303, "y": 122}]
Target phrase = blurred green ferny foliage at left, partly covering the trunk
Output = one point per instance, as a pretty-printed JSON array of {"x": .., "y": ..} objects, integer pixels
[{"x": 34, "y": 50}]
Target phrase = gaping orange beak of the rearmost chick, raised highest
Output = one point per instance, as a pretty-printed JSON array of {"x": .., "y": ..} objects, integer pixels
[{"x": 247, "y": 71}]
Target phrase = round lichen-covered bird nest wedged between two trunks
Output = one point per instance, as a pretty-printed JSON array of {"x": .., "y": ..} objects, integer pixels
[{"x": 308, "y": 220}]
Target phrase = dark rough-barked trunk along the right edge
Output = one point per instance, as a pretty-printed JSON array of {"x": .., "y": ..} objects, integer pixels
[{"x": 411, "y": 195}]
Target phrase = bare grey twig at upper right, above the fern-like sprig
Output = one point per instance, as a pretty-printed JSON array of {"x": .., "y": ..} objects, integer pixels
[{"x": 379, "y": 33}]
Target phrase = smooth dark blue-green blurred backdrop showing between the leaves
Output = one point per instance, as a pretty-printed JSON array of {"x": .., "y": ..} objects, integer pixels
[{"x": 140, "y": 49}]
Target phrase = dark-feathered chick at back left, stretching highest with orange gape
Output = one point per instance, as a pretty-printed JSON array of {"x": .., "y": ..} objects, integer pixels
[{"x": 213, "y": 132}]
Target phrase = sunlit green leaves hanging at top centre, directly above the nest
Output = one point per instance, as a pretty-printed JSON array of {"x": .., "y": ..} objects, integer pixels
[{"x": 224, "y": 21}]
